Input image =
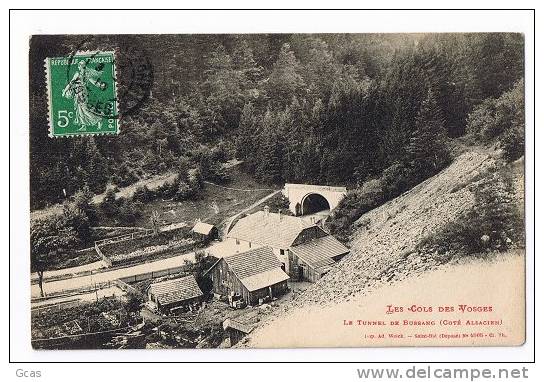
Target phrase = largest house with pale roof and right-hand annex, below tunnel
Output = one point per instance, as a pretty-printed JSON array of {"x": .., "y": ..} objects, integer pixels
[{"x": 305, "y": 250}]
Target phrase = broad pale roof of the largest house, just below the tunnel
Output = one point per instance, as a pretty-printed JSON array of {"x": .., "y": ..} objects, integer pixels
[{"x": 273, "y": 229}]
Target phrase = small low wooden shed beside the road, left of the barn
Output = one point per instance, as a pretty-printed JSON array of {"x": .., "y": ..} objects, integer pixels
[{"x": 174, "y": 294}]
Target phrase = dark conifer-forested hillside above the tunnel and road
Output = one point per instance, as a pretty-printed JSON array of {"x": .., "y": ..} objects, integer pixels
[{"x": 327, "y": 109}]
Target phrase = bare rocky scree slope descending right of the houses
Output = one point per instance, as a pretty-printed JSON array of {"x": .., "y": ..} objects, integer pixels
[{"x": 383, "y": 246}]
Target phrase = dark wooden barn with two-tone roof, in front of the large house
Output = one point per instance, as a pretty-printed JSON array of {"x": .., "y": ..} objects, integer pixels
[{"x": 251, "y": 275}]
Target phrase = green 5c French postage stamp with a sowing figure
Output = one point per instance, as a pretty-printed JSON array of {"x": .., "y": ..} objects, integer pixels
[{"x": 82, "y": 94}]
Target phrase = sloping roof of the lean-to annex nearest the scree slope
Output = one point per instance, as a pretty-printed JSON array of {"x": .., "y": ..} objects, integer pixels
[{"x": 319, "y": 253}]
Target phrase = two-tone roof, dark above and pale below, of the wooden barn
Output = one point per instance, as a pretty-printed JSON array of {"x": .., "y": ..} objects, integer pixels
[{"x": 257, "y": 268}]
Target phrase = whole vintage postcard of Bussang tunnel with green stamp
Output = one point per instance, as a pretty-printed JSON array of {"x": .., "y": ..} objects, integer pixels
[{"x": 277, "y": 190}]
